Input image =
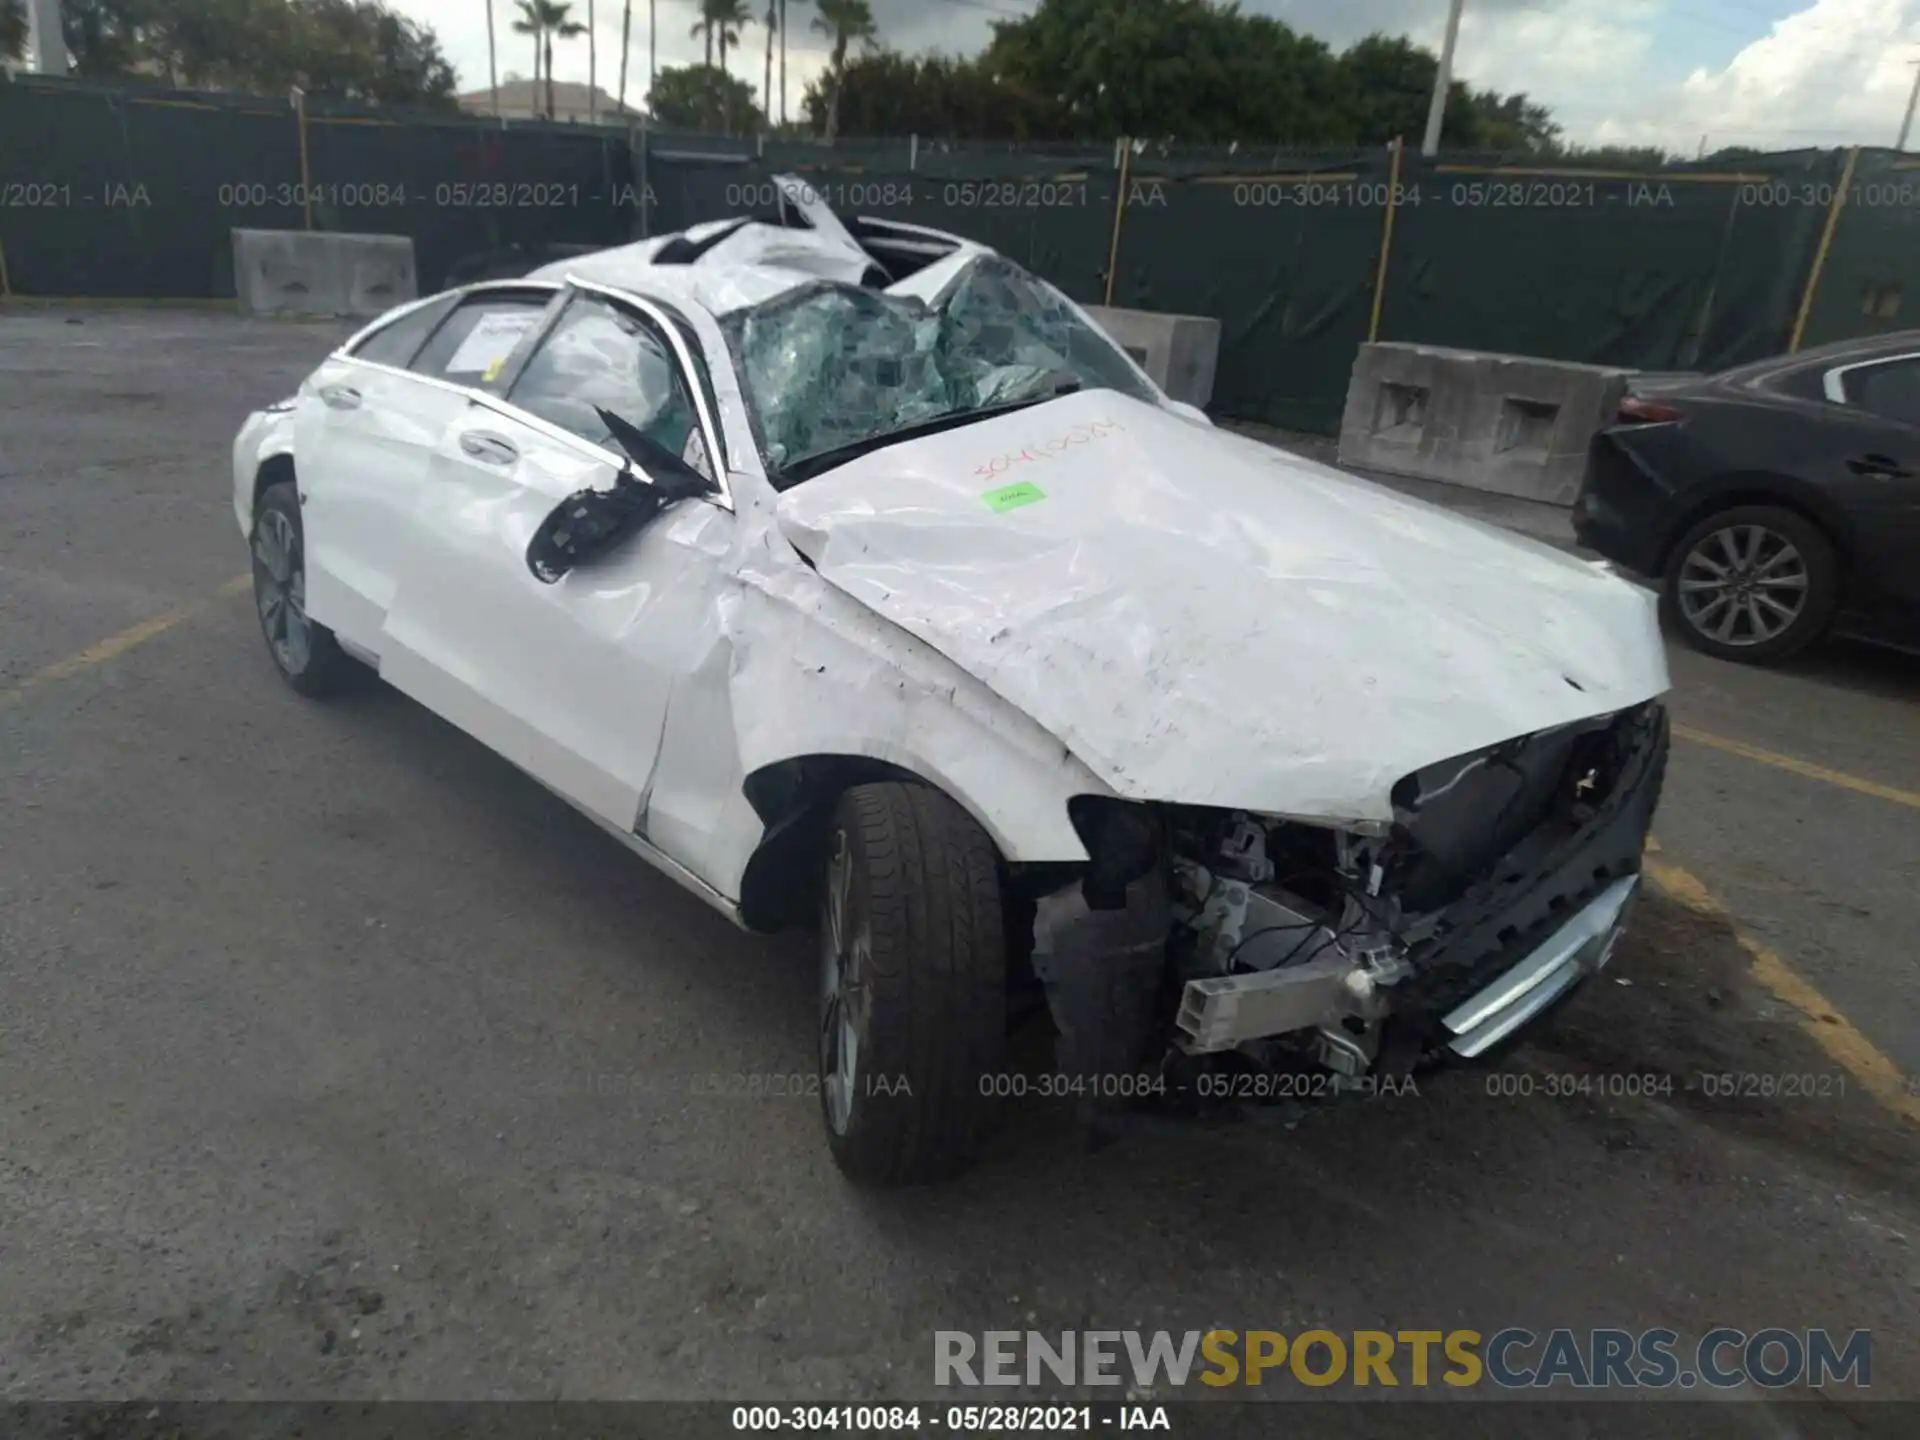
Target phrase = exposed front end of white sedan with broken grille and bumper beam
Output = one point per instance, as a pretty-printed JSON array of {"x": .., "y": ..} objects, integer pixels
[{"x": 1287, "y": 946}]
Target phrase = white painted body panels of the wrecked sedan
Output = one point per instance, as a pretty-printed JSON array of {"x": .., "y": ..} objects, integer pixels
[{"x": 1176, "y": 613}]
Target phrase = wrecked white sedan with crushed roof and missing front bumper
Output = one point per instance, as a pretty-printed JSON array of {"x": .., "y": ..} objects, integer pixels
[{"x": 848, "y": 573}]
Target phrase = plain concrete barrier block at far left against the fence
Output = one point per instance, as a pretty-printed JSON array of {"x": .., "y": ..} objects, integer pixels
[{"x": 322, "y": 274}]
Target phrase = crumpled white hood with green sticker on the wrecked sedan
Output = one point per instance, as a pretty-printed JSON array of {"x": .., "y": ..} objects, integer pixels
[{"x": 1212, "y": 621}]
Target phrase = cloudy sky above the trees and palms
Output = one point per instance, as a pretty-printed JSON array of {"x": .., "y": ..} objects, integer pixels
[{"x": 1775, "y": 74}]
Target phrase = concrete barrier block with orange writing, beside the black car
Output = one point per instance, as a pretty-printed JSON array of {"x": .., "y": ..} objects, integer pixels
[{"x": 1508, "y": 425}]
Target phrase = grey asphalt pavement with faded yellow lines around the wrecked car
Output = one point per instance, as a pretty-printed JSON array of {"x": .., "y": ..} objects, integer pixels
[{"x": 341, "y": 1061}]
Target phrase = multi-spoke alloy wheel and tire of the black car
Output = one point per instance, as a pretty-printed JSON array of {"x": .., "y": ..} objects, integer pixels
[{"x": 1756, "y": 585}]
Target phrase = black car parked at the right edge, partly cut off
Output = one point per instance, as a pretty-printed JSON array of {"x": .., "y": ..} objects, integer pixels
[{"x": 1777, "y": 502}]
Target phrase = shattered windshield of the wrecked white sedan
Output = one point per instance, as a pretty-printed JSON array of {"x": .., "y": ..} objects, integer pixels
[{"x": 834, "y": 368}]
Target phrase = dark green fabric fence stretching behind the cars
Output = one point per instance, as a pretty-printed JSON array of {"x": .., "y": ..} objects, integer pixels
[{"x": 135, "y": 195}]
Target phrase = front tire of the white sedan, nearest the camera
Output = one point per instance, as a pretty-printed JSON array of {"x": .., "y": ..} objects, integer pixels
[{"x": 917, "y": 969}]
